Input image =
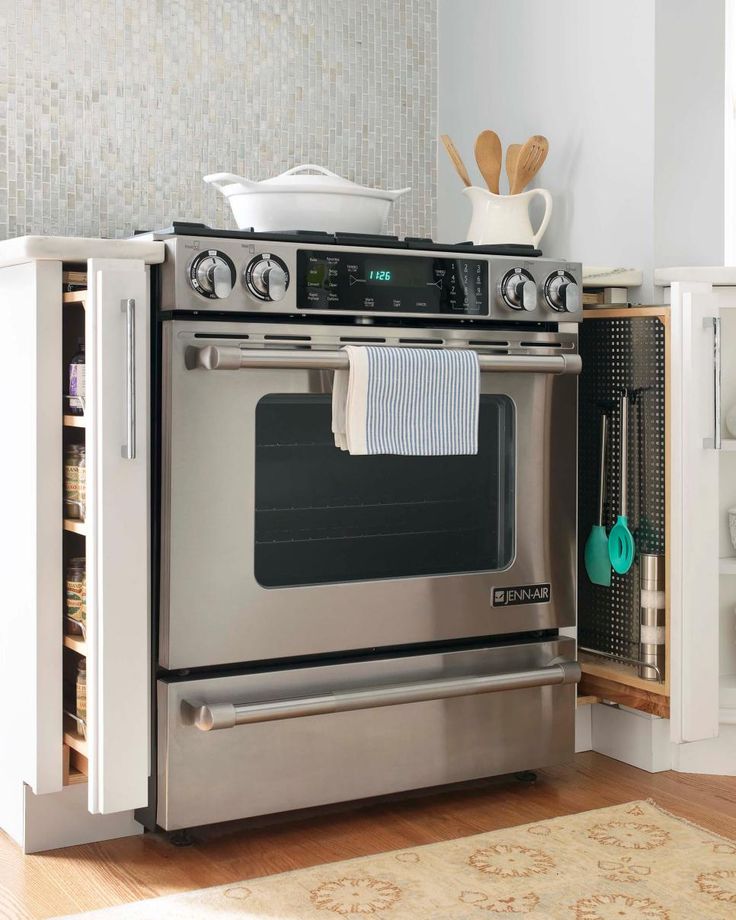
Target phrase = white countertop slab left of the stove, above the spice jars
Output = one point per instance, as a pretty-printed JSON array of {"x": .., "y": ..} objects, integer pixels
[{"x": 77, "y": 249}]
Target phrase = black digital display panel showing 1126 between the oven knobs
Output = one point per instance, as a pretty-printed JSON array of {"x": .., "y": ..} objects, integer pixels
[{"x": 391, "y": 283}]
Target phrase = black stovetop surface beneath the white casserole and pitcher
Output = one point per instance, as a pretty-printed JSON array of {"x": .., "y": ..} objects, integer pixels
[{"x": 187, "y": 228}]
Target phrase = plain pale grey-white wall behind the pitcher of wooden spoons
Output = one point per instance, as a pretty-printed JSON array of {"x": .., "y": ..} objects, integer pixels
[{"x": 627, "y": 93}]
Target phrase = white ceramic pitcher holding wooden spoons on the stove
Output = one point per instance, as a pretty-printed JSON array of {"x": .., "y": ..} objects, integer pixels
[{"x": 505, "y": 218}]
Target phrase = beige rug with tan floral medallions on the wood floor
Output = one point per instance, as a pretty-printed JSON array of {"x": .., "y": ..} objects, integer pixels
[{"x": 628, "y": 862}]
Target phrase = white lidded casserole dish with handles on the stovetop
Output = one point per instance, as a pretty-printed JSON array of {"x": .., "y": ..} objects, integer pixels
[{"x": 298, "y": 200}]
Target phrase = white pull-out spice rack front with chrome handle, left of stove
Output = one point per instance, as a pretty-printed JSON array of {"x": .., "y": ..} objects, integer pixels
[{"x": 118, "y": 663}]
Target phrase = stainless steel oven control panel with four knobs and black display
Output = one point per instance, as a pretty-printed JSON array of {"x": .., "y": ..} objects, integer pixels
[{"x": 262, "y": 276}]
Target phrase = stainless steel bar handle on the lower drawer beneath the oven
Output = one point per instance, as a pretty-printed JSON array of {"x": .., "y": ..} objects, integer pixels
[{"x": 212, "y": 716}]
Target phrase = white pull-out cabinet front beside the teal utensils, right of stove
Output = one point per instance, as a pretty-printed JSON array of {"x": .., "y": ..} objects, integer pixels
[{"x": 694, "y": 558}]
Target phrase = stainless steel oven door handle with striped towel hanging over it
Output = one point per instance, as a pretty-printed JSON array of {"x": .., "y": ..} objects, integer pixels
[{"x": 231, "y": 357}]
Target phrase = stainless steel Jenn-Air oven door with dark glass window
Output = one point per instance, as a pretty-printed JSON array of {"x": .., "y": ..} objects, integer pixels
[{"x": 276, "y": 544}]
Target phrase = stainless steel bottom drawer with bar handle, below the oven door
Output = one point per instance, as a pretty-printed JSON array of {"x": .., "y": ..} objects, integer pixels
[{"x": 270, "y": 741}]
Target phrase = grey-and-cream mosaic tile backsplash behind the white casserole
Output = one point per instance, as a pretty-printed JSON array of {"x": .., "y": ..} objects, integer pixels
[{"x": 111, "y": 111}]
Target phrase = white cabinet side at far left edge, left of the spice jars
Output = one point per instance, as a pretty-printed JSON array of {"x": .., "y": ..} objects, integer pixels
[{"x": 31, "y": 547}]
